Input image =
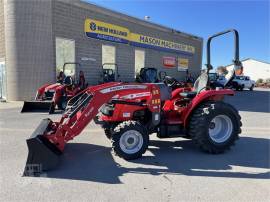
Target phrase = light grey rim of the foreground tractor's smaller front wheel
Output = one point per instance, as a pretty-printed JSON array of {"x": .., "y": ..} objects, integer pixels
[{"x": 131, "y": 141}]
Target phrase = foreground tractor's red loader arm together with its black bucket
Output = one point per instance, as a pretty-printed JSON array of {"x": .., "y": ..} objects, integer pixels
[{"x": 49, "y": 139}]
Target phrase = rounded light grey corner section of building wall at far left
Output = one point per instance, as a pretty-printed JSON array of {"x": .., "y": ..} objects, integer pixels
[{"x": 29, "y": 47}]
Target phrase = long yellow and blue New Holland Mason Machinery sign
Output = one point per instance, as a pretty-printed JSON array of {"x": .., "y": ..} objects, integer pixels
[{"x": 106, "y": 31}]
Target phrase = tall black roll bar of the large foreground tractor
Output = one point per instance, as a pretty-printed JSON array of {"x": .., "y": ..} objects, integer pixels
[{"x": 236, "y": 60}]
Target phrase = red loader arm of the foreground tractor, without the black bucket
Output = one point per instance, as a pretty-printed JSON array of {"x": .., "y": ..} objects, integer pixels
[{"x": 82, "y": 112}]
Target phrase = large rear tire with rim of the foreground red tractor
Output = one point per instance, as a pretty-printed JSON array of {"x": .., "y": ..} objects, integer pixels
[{"x": 215, "y": 126}]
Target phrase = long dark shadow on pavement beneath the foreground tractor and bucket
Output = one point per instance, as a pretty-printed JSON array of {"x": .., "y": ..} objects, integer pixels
[{"x": 95, "y": 163}]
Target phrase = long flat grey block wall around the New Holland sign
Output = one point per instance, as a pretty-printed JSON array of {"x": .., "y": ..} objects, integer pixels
[{"x": 68, "y": 22}]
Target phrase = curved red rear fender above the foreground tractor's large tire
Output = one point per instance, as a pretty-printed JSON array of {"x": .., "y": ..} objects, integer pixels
[{"x": 202, "y": 97}]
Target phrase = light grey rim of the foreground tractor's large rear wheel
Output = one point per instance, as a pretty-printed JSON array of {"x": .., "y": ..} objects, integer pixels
[{"x": 220, "y": 128}]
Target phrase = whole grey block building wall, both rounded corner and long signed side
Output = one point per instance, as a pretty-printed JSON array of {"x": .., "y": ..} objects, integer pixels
[{"x": 32, "y": 26}]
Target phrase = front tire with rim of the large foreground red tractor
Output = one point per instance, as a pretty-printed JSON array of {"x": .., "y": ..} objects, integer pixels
[{"x": 130, "y": 140}]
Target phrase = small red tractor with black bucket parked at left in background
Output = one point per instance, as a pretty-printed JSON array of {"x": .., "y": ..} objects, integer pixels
[{"x": 50, "y": 96}]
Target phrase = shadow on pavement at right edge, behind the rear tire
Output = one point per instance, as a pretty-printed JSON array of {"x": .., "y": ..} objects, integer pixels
[{"x": 253, "y": 101}]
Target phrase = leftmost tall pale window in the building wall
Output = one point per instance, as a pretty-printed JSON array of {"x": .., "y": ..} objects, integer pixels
[{"x": 65, "y": 52}]
